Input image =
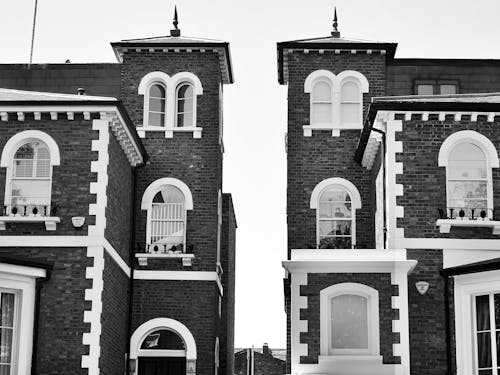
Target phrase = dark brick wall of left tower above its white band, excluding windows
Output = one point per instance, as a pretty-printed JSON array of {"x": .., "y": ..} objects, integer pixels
[{"x": 196, "y": 162}]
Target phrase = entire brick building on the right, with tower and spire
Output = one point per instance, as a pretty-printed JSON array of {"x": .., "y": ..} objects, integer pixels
[{"x": 393, "y": 210}]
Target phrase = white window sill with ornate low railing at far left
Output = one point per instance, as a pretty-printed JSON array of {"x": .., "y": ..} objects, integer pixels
[{"x": 29, "y": 213}]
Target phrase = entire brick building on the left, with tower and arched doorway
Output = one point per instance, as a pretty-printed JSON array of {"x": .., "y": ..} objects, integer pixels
[{"x": 117, "y": 245}]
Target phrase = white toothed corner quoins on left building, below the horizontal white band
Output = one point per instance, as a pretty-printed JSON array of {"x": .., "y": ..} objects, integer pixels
[{"x": 93, "y": 316}]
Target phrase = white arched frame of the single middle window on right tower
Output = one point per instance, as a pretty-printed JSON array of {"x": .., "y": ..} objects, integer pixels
[{"x": 340, "y": 183}]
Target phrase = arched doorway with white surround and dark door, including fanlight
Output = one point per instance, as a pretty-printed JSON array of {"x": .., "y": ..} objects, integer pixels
[{"x": 162, "y": 346}]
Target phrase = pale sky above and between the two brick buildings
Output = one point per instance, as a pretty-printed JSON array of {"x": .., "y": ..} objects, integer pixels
[{"x": 255, "y": 105}]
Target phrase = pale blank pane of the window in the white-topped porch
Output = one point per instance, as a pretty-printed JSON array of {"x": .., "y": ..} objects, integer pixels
[{"x": 349, "y": 326}]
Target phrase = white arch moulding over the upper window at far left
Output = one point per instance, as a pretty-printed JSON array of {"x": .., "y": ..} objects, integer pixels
[{"x": 20, "y": 138}]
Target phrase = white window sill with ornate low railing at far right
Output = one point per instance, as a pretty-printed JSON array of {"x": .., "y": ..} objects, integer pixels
[{"x": 467, "y": 217}]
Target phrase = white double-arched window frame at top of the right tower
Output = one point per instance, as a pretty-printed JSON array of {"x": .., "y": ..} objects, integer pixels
[{"x": 336, "y": 82}]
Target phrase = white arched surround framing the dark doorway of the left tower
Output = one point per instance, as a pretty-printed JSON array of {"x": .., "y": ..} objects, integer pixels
[{"x": 162, "y": 323}]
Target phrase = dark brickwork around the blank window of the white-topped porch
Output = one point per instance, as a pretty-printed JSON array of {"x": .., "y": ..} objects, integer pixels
[{"x": 318, "y": 281}]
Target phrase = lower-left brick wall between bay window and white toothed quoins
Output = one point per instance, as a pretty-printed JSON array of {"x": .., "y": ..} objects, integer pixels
[{"x": 62, "y": 304}]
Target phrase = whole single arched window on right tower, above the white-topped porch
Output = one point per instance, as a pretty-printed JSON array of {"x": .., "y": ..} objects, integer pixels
[{"x": 335, "y": 201}]
